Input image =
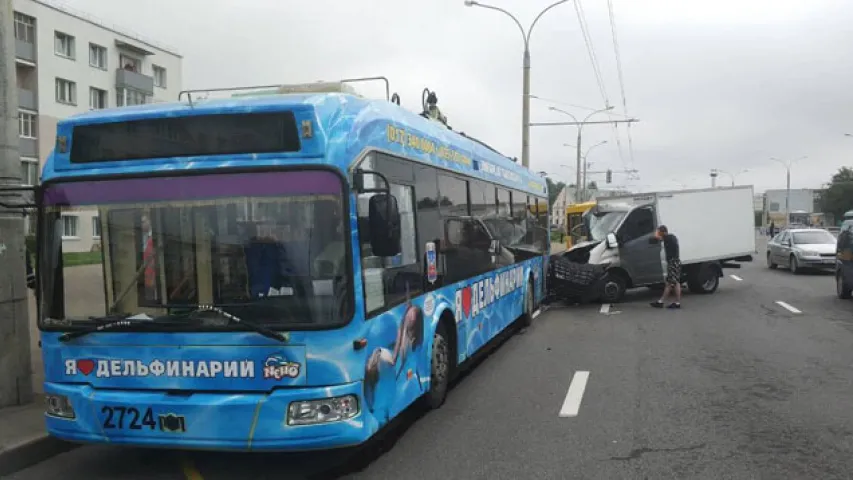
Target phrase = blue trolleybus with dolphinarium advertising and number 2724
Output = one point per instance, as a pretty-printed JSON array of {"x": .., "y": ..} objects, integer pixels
[{"x": 273, "y": 272}]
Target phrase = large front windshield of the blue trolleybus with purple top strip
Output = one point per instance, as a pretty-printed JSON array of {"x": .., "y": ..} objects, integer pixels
[{"x": 267, "y": 247}]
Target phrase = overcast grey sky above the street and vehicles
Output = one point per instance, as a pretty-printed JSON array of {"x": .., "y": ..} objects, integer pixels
[{"x": 716, "y": 84}]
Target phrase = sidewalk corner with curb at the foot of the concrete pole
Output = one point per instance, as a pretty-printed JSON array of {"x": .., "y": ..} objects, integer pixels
[{"x": 23, "y": 439}]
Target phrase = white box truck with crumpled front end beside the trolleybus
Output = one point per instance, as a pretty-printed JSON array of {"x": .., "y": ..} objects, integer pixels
[{"x": 715, "y": 227}]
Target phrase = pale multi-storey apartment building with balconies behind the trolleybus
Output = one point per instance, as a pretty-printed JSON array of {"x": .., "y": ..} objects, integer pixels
[{"x": 67, "y": 63}]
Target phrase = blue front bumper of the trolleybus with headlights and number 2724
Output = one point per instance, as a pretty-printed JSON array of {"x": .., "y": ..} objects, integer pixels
[{"x": 274, "y": 420}]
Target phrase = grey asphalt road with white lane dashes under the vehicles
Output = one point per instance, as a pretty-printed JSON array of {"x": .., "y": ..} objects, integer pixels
[{"x": 734, "y": 385}]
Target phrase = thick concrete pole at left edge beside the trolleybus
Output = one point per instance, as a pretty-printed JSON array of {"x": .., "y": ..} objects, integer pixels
[{"x": 15, "y": 366}]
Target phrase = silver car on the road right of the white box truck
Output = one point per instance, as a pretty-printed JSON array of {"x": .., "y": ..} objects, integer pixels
[{"x": 802, "y": 248}]
